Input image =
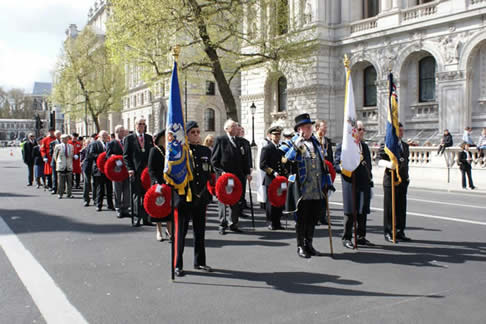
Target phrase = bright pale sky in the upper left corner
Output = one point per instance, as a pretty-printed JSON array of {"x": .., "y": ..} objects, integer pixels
[{"x": 31, "y": 36}]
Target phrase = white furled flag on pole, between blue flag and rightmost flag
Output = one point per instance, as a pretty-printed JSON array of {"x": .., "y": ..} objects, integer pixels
[{"x": 350, "y": 153}]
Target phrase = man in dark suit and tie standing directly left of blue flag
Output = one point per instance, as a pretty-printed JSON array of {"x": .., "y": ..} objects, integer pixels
[{"x": 136, "y": 149}]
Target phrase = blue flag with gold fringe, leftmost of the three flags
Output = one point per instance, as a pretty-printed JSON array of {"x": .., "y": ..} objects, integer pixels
[{"x": 177, "y": 171}]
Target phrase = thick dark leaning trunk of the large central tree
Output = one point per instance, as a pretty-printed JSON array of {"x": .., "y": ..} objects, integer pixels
[{"x": 223, "y": 85}]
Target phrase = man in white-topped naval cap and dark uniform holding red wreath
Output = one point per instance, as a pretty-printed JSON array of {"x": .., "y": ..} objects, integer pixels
[{"x": 271, "y": 164}]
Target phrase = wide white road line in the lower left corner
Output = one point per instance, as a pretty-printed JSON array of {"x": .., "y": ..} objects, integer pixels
[{"x": 49, "y": 298}]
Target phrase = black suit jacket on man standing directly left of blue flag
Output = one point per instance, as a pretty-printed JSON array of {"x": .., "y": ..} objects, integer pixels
[{"x": 135, "y": 158}]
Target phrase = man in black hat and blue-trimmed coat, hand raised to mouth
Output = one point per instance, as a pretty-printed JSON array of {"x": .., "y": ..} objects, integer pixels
[{"x": 305, "y": 194}]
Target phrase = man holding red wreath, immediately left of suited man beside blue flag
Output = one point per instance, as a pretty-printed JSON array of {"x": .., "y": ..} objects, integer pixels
[{"x": 122, "y": 188}]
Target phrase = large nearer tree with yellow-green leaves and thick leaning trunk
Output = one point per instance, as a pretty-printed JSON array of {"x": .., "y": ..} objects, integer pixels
[{"x": 212, "y": 36}]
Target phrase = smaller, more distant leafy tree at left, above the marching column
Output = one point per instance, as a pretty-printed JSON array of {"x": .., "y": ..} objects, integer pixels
[{"x": 85, "y": 77}]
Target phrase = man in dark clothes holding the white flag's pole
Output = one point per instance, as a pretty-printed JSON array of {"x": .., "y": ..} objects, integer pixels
[{"x": 362, "y": 197}]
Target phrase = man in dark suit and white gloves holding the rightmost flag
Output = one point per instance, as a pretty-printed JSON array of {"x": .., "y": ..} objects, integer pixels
[{"x": 400, "y": 191}]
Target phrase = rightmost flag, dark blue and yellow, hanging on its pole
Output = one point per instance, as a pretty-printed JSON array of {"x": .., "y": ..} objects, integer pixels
[{"x": 392, "y": 146}]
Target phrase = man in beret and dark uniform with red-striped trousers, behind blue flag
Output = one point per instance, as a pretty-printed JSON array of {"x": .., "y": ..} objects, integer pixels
[{"x": 200, "y": 158}]
